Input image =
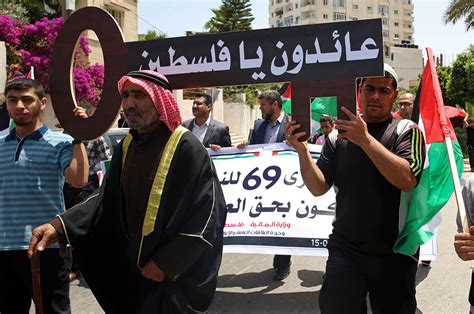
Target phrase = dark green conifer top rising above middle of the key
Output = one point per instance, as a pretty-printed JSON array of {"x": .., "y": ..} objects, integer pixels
[{"x": 232, "y": 15}]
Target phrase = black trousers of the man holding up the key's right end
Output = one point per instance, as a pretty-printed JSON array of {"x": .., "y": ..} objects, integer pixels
[{"x": 389, "y": 280}]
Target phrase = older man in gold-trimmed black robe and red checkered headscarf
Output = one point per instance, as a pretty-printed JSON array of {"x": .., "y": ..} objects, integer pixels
[{"x": 151, "y": 240}]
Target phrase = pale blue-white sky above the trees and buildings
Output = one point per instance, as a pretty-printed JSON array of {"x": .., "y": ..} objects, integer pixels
[{"x": 175, "y": 17}]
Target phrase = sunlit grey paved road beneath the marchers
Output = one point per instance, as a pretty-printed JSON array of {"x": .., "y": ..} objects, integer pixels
[{"x": 245, "y": 284}]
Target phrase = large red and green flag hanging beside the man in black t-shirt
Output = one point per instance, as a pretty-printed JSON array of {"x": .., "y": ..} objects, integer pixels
[{"x": 436, "y": 184}]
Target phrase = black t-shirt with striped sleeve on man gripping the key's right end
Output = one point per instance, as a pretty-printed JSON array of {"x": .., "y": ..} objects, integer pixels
[{"x": 367, "y": 204}]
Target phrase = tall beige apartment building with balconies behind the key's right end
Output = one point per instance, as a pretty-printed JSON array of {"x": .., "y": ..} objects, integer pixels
[{"x": 397, "y": 26}]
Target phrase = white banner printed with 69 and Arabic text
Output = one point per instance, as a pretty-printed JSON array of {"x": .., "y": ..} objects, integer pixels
[{"x": 269, "y": 209}]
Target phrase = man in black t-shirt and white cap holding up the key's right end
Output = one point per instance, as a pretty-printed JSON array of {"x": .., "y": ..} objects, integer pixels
[{"x": 370, "y": 164}]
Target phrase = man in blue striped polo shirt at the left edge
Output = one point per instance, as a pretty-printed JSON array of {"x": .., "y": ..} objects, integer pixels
[{"x": 33, "y": 164}]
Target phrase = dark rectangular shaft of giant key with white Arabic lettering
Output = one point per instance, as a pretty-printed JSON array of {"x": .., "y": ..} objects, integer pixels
[{"x": 329, "y": 51}]
